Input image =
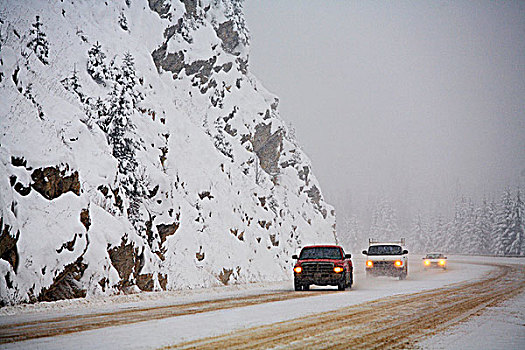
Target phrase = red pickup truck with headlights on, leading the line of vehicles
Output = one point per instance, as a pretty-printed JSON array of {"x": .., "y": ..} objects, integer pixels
[{"x": 323, "y": 265}]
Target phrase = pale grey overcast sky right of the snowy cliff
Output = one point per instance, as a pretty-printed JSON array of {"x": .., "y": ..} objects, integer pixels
[{"x": 415, "y": 99}]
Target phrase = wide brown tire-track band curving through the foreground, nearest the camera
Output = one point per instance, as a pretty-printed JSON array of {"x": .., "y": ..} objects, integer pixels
[{"x": 392, "y": 322}]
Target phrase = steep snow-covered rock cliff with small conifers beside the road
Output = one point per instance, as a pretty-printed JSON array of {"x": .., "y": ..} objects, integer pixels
[{"x": 138, "y": 153}]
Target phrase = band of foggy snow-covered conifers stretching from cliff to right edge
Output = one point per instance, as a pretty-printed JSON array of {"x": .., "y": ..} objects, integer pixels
[{"x": 492, "y": 227}]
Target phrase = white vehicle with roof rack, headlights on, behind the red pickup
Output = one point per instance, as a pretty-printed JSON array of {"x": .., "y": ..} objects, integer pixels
[{"x": 386, "y": 259}]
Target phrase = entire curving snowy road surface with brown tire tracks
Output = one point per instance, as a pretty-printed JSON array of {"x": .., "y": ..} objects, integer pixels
[{"x": 421, "y": 311}]
